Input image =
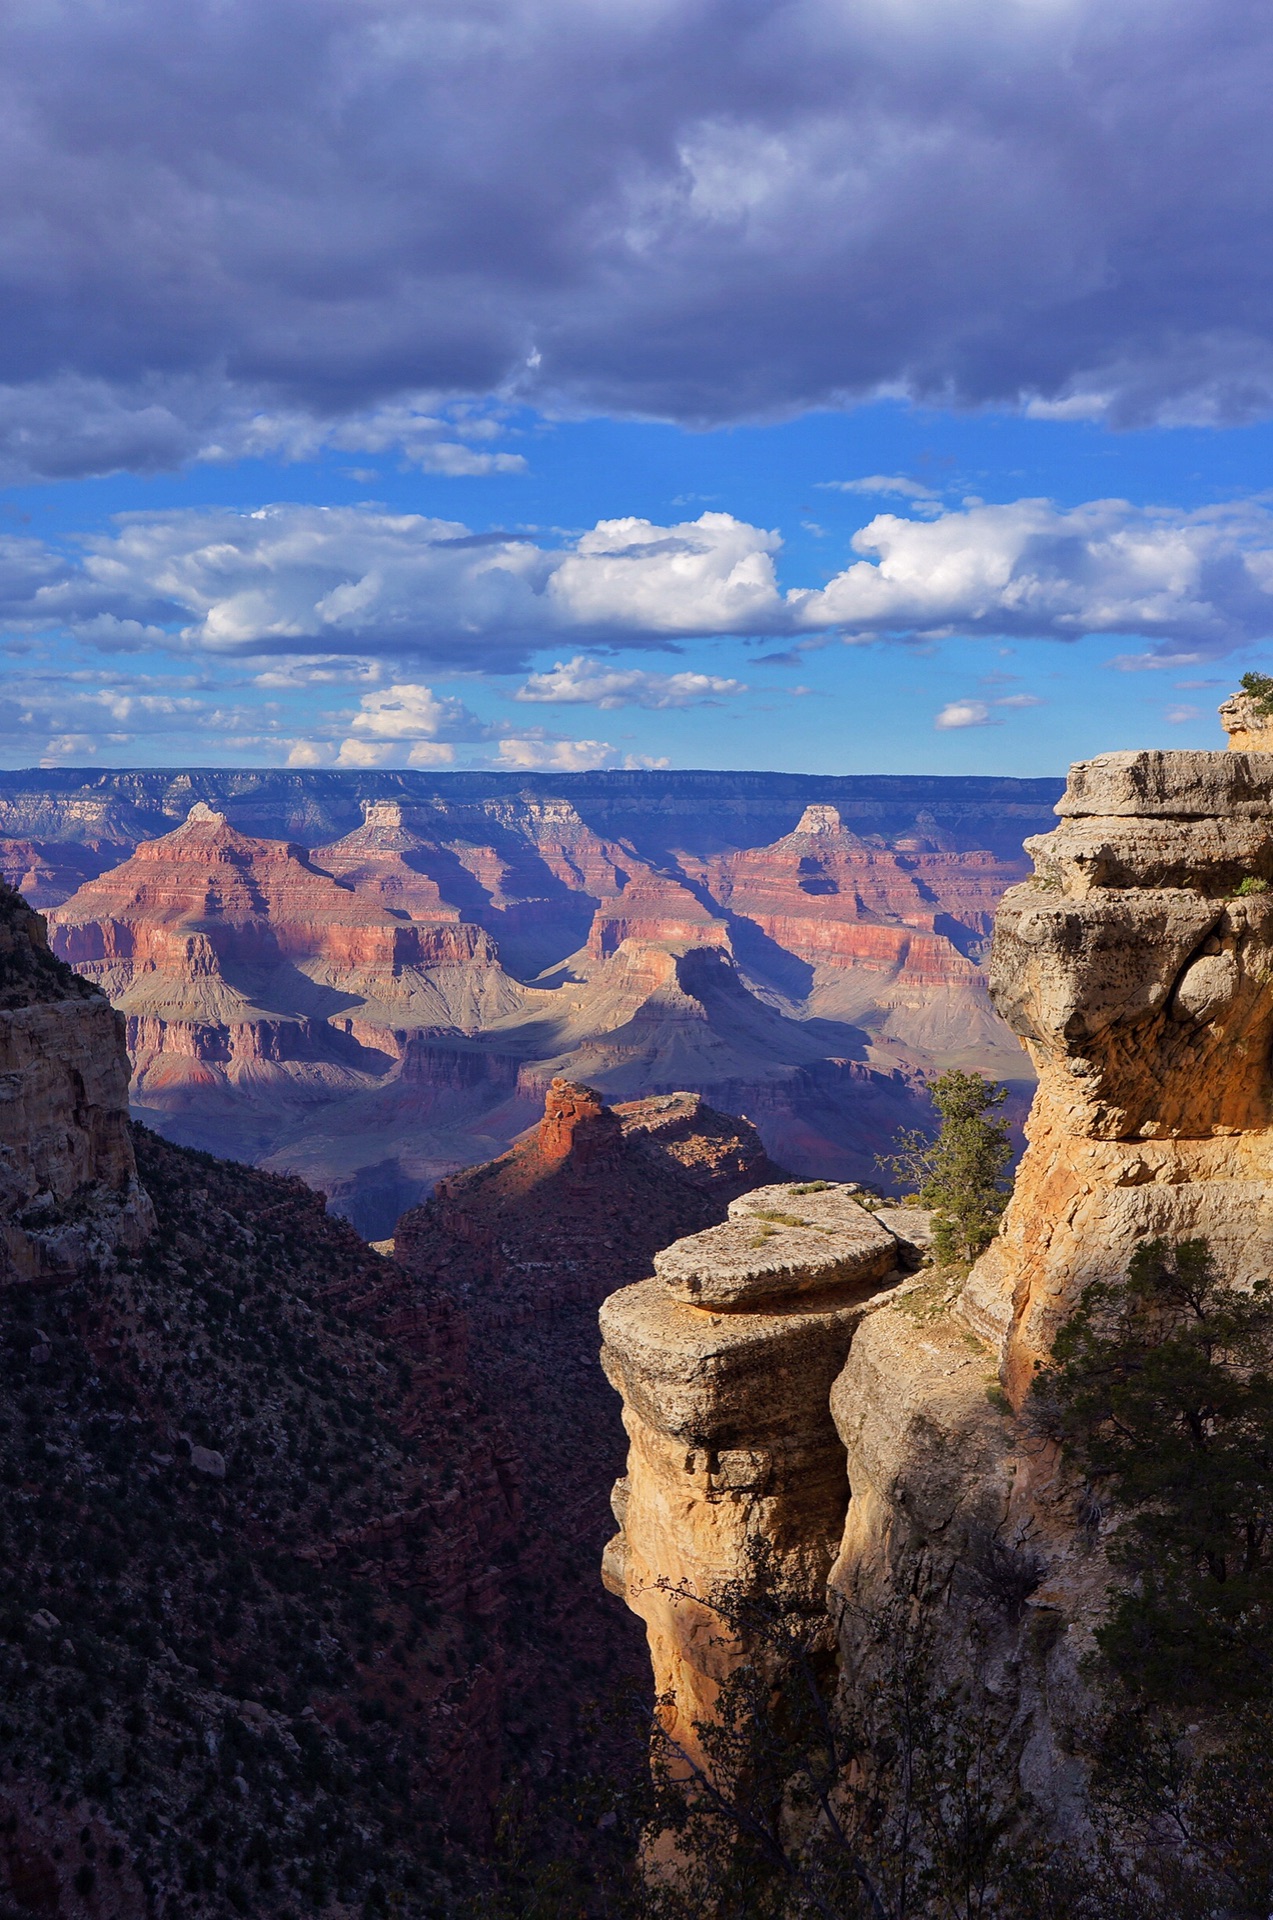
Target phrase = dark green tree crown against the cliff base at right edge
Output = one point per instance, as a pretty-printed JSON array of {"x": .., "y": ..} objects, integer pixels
[{"x": 1161, "y": 1393}]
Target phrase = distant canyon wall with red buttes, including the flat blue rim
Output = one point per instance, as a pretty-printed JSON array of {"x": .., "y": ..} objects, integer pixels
[{"x": 372, "y": 980}]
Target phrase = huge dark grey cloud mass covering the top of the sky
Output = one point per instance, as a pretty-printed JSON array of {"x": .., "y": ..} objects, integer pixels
[{"x": 231, "y": 222}]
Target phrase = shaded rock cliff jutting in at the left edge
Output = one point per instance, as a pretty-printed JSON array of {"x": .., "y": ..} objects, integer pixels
[{"x": 68, "y": 1180}]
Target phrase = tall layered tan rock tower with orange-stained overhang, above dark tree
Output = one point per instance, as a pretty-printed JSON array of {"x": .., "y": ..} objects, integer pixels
[{"x": 1136, "y": 969}]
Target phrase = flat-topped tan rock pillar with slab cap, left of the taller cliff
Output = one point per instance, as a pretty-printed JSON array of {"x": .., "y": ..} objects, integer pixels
[{"x": 725, "y": 1362}]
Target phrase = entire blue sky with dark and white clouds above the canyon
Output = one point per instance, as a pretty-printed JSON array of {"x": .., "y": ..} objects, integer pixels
[{"x": 875, "y": 387}]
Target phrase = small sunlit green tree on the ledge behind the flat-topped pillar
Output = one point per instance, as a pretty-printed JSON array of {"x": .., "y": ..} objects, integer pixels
[{"x": 961, "y": 1172}]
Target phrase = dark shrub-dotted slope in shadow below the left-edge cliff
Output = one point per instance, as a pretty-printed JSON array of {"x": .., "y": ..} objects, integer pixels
[{"x": 212, "y": 1706}]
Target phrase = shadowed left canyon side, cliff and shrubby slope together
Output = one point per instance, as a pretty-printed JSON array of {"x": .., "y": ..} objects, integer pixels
[{"x": 252, "y": 1520}]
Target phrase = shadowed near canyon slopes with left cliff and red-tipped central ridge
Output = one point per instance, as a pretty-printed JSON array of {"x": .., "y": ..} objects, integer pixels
[{"x": 300, "y": 1539}]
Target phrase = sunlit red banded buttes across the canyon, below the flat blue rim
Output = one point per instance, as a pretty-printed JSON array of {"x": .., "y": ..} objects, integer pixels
[{"x": 368, "y": 978}]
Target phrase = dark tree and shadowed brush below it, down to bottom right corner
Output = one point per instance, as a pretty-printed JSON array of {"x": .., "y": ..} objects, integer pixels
[{"x": 1161, "y": 1395}]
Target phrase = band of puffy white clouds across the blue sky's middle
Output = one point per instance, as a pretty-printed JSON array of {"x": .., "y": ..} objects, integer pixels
[{"x": 362, "y": 585}]
